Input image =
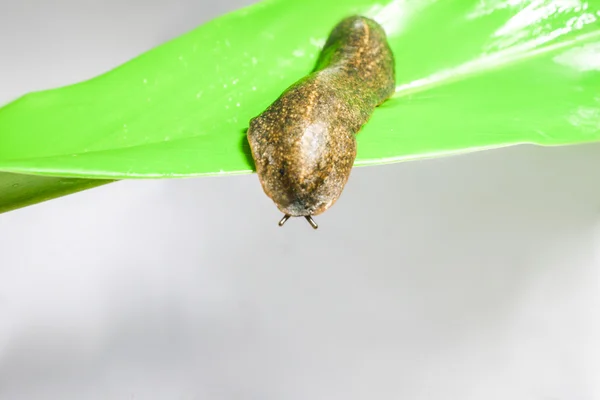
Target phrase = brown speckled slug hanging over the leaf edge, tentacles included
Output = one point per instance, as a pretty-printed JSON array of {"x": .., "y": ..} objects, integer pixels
[{"x": 303, "y": 144}]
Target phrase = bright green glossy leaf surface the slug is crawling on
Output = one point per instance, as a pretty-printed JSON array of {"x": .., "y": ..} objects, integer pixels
[{"x": 471, "y": 75}]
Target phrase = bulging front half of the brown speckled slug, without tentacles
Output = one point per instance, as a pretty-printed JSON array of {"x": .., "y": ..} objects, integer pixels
[{"x": 304, "y": 148}]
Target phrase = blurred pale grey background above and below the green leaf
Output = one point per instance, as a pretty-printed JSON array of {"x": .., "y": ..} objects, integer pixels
[{"x": 471, "y": 277}]
